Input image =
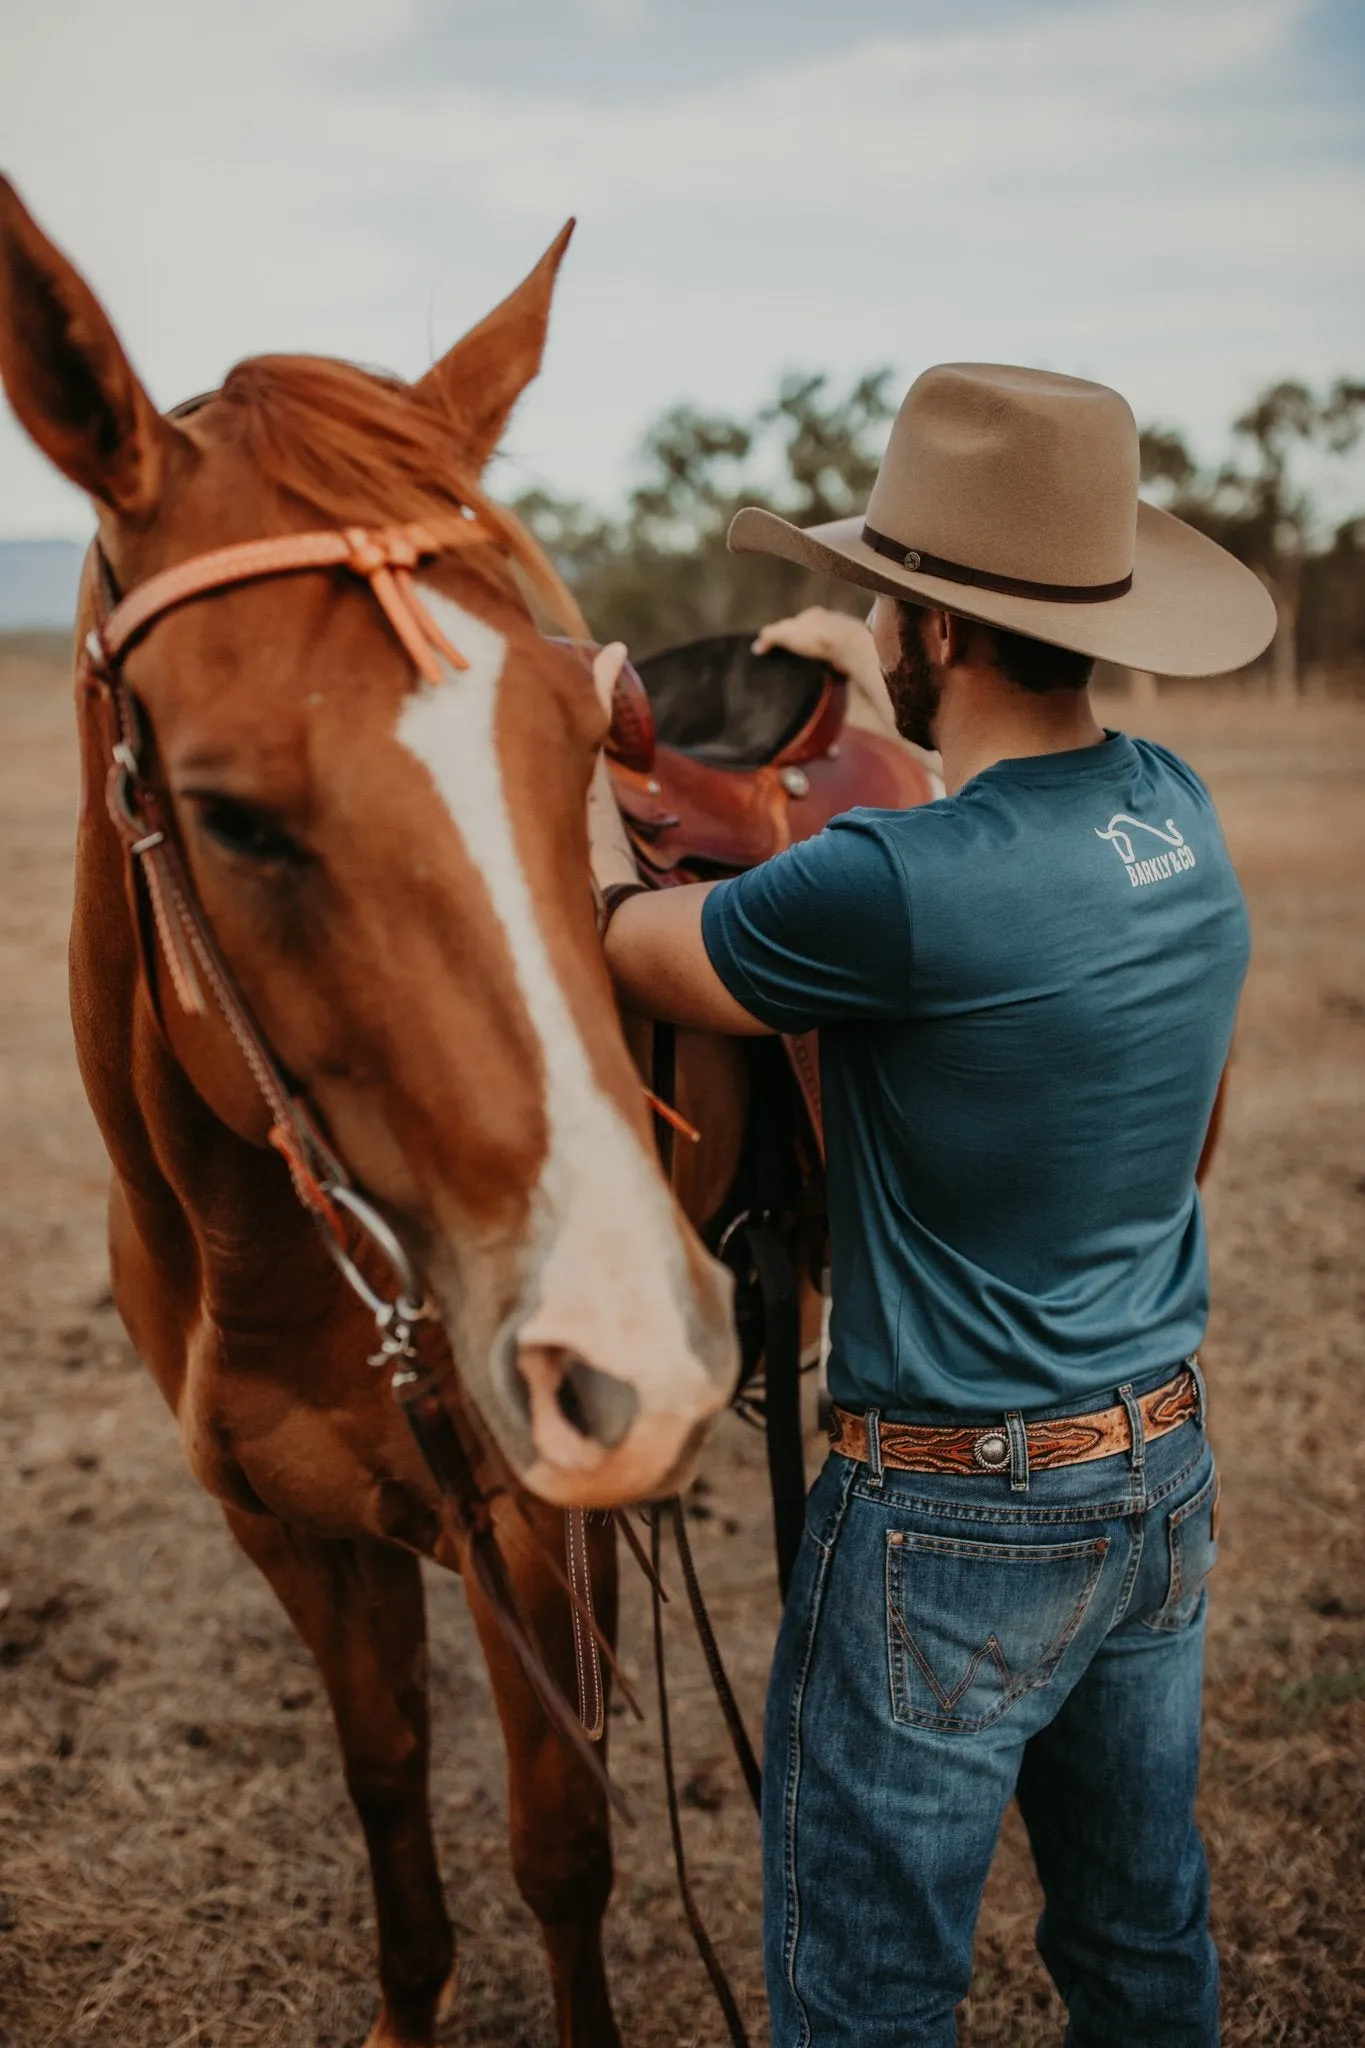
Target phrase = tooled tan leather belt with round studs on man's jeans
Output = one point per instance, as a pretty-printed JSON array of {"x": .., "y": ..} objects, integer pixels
[{"x": 985, "y": 1447}]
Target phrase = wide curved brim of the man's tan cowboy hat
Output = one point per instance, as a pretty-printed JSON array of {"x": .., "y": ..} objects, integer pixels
[{"x": 1192, "y": 609}]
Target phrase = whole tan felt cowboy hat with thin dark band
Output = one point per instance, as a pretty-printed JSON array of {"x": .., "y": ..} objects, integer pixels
[{"x": 1012, "y": 497}]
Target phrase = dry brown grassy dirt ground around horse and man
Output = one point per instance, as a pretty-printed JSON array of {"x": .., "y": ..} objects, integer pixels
[{"x": 179, "y": 1865}]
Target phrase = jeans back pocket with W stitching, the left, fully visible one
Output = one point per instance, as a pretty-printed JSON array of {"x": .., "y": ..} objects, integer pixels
[{"x": 975, "y": 1625}]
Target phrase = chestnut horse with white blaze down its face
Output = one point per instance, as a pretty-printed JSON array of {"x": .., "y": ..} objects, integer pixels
[{"x": 396, "y": 876}]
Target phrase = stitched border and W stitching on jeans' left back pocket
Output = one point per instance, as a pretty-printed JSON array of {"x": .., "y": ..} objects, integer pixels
[{"x": 1039, "y": 1672}]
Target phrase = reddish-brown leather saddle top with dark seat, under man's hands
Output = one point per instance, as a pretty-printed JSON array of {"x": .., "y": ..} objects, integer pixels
[{"x": 721, "y": 759}]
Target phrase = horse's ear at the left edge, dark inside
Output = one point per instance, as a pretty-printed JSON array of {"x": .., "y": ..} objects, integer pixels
[{"x": 67, "y": 376}]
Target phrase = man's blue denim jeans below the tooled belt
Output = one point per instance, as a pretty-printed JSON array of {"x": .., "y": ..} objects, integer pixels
[{"x": 953, "y": 1644}]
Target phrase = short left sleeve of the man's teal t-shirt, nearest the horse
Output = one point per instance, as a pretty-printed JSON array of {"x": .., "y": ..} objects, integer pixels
[{"x": 820, "y": 935}]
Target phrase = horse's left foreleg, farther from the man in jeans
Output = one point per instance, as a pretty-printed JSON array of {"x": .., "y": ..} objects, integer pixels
[{"x": 359, "y": 1609}]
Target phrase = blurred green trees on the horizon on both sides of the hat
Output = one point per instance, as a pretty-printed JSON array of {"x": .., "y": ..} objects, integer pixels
[{"x": 660, "y": 572}]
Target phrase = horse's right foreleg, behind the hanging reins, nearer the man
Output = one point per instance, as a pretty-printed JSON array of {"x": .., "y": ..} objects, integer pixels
[{"x": 562, "y": 1846}]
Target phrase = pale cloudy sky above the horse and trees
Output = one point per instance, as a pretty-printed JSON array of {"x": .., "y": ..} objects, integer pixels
[{"x": 1168, "y": 196}]
